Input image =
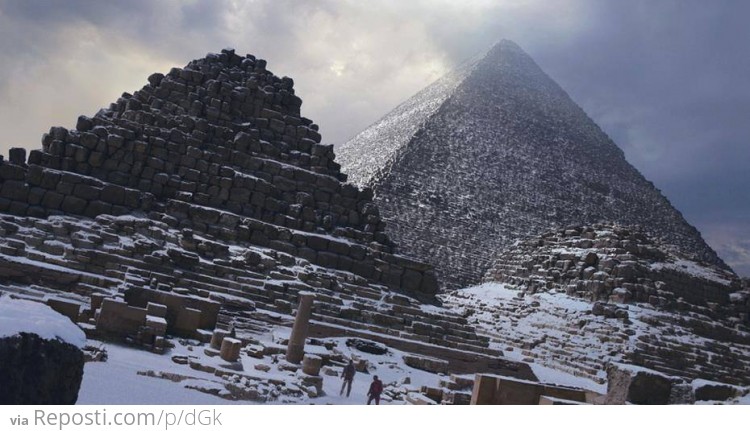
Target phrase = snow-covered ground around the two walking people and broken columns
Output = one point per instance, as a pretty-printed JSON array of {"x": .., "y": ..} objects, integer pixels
[{"x": 117, "y": 381}]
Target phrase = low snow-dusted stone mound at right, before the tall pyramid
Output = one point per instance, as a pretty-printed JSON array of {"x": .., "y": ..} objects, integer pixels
[{"x": 649, "y": 306}]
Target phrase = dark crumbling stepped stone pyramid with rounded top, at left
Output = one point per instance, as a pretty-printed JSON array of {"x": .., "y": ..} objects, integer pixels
[{"x": 205, "y": 202}]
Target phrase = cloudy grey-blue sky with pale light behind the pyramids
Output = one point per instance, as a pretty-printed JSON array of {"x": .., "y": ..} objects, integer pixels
[{"x": 668, "y": 80}]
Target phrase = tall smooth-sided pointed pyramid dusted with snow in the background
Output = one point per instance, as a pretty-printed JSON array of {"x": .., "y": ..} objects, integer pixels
[{"x": 495, "y": 152}]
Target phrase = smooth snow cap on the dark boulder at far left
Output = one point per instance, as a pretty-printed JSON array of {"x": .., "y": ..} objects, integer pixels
[{"x": 17, "y": 316}]
